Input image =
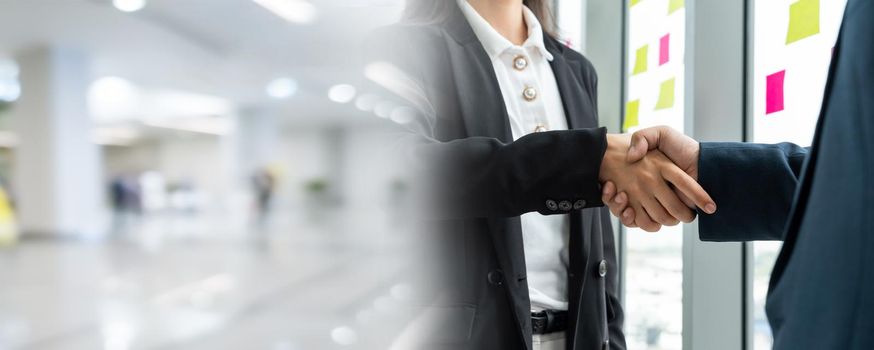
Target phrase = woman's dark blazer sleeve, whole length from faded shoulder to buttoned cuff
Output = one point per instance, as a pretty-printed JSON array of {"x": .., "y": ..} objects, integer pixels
[{"x": 470, "y": 177}]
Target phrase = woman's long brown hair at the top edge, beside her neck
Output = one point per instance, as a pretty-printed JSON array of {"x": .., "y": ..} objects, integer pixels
[{"x": 437, "y": 11}]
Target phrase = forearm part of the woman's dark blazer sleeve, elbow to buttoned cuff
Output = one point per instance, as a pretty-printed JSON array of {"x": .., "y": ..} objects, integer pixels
[{"x": 549, "y": 172}]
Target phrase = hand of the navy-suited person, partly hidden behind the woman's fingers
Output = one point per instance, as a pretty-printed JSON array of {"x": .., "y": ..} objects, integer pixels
[{"x": 681, "y": 150}]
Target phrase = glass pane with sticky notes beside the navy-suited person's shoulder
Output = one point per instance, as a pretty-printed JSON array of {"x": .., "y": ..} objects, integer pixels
[{"x": 789, "y": 74}]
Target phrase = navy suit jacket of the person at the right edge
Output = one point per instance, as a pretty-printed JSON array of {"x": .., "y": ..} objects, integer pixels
[{"x": 820, "y": 201}]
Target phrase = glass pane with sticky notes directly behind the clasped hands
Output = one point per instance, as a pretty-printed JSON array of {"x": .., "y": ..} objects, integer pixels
[{"x": 654, "y": 262}]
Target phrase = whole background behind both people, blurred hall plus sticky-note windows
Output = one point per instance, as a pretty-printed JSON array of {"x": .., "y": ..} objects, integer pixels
[{"x": 202, "y": 174}]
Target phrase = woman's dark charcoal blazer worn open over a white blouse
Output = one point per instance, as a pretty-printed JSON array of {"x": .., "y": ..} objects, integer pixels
[{"x": 484, "y": 180}]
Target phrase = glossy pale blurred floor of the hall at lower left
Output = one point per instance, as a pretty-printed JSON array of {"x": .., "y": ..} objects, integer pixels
[{"x": 159, "y": 286}]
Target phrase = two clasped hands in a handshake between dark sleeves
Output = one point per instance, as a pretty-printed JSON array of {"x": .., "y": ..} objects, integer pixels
[{"x": 650, "y": 178}]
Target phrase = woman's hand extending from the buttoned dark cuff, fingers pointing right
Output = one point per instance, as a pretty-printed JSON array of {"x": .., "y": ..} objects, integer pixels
[{"x": 644, "y": 184}]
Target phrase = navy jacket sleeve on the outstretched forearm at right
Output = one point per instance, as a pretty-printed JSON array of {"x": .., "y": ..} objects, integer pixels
[{"x": 753, "y": 186}]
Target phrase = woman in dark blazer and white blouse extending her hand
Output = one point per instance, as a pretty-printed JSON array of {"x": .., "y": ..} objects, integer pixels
[{"x": 523, "y": 249}]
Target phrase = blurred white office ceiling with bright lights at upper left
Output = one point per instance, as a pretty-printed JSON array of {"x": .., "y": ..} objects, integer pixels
[{"x": 226, "y": 48}]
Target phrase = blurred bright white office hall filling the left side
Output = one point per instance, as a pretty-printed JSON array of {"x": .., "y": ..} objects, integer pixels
[{"x": 195, "y": 174}]
